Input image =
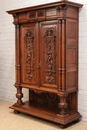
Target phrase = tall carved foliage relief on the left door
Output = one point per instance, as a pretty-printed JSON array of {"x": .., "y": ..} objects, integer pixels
[{"x": 29, "y": 41}]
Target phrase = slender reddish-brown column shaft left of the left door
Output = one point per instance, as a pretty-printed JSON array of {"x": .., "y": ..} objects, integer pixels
[{"x": 17, "y": 53}]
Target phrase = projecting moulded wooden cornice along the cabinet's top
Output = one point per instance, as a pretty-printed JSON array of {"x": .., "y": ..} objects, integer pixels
[{"x": 47, "y": 5}]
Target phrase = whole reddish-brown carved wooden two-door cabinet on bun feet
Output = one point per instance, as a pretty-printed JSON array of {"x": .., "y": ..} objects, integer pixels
[{"x": 46, "y": 42}]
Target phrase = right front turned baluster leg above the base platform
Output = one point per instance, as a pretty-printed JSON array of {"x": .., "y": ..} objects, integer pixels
[{"x": 62, "y": 104}]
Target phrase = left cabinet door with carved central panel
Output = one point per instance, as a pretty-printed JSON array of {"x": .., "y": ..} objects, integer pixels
[{"x": 29, "y": 53}]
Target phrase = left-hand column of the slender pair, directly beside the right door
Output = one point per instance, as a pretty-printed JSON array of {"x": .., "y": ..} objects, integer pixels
[{"x": 60, "y": 61}]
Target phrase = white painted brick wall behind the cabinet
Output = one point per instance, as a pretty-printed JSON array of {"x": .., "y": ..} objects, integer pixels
[{"x": 7, "y": 52}]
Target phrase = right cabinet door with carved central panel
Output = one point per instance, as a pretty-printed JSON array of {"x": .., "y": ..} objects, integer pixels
[{"x": 49, "y": 54}]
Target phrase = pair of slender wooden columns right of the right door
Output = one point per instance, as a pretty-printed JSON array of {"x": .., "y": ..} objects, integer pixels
[{"x": 61, "y": 68}]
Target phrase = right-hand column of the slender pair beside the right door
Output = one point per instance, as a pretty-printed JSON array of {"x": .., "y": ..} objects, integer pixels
[{"x": 63, "y": 55}]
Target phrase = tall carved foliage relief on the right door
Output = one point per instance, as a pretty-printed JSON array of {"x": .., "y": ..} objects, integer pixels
[{"x": 50, "y": 55}]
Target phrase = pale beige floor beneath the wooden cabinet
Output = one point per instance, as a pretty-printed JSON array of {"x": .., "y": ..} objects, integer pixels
[{"x": 11, "y": 121}]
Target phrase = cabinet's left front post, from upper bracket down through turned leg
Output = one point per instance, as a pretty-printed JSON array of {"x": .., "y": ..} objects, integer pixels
[{"x": 19, "y": 94}]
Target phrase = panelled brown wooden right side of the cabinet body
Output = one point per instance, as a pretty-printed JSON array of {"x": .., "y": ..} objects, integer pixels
[{"x": 71, "y": 55}]
